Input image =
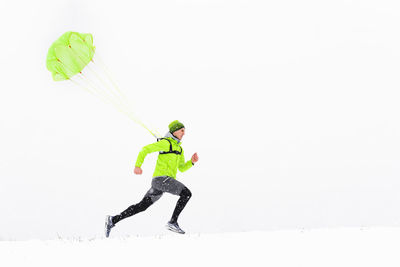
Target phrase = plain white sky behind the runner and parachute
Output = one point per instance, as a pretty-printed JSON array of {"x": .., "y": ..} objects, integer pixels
[{"x": 292, "y": 107}]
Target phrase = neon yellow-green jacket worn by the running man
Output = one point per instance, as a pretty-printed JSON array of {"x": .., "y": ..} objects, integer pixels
[{"x": 167, "y": 164}]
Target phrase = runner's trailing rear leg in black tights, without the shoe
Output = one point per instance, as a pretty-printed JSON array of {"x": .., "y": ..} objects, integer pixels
[{"x": 151, "y": 196}]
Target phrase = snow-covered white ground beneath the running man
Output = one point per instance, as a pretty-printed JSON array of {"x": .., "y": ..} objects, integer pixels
[{"x": 323, "y": 247}]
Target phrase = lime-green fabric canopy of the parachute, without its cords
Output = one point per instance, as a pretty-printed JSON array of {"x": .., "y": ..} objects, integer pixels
[{"x": 69, "y": 54}]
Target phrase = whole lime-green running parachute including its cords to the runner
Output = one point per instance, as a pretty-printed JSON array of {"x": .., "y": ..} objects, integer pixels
[{"x": 72, "y": 57}]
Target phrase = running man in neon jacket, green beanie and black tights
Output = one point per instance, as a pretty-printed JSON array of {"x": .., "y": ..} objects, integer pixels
[{"x": 170, "y": 159}]
